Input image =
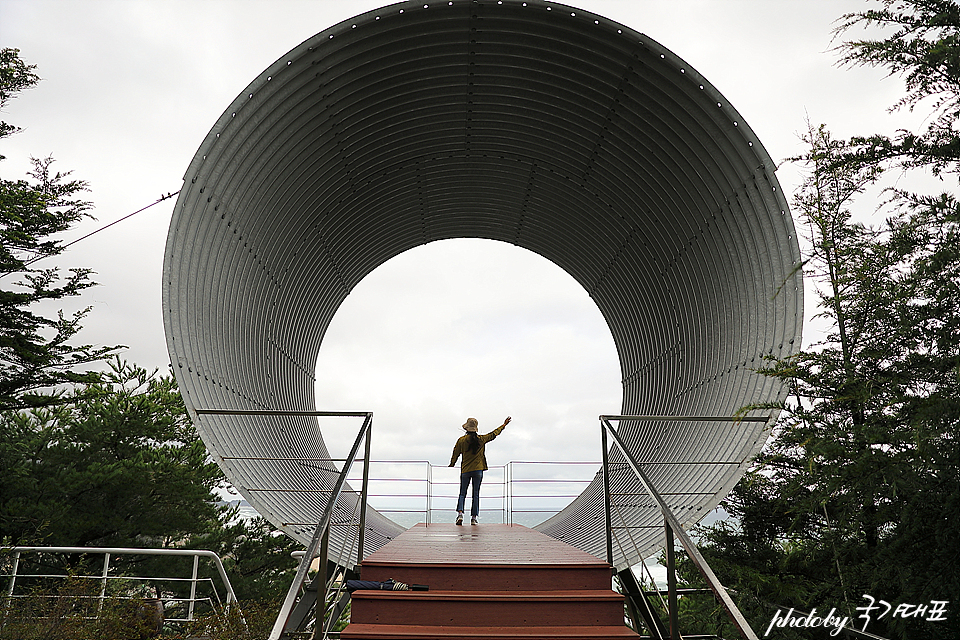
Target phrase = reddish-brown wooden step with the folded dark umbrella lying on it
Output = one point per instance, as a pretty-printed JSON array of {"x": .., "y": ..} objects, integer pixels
[{"x": 480, "y": 608}]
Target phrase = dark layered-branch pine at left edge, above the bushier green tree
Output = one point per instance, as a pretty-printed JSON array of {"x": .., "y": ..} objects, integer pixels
[{"x": 36, "y": 356}]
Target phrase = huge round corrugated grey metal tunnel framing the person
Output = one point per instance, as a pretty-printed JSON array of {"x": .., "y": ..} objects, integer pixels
[{"x": 544, "y": 126}]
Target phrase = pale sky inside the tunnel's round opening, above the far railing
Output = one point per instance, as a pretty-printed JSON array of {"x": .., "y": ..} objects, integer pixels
[{"x": 469, "y": 326}]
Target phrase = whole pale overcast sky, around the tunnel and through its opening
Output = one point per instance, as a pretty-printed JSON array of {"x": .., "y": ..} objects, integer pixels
[{"x": 455, "y": 329}]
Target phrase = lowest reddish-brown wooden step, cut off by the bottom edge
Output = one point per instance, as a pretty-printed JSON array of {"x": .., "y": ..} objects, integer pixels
[{"x": 422, "y": 632}]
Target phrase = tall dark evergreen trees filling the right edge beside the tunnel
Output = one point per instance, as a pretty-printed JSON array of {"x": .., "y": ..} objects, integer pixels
[{"x": 858, "y": 490}]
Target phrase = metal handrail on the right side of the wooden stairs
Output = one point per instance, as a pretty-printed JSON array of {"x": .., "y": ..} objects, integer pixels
[{"x": 670, "y": 519}]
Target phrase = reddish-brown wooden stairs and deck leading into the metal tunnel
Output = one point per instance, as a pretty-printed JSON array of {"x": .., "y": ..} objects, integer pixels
[{"x": 486, "y": 581}]
